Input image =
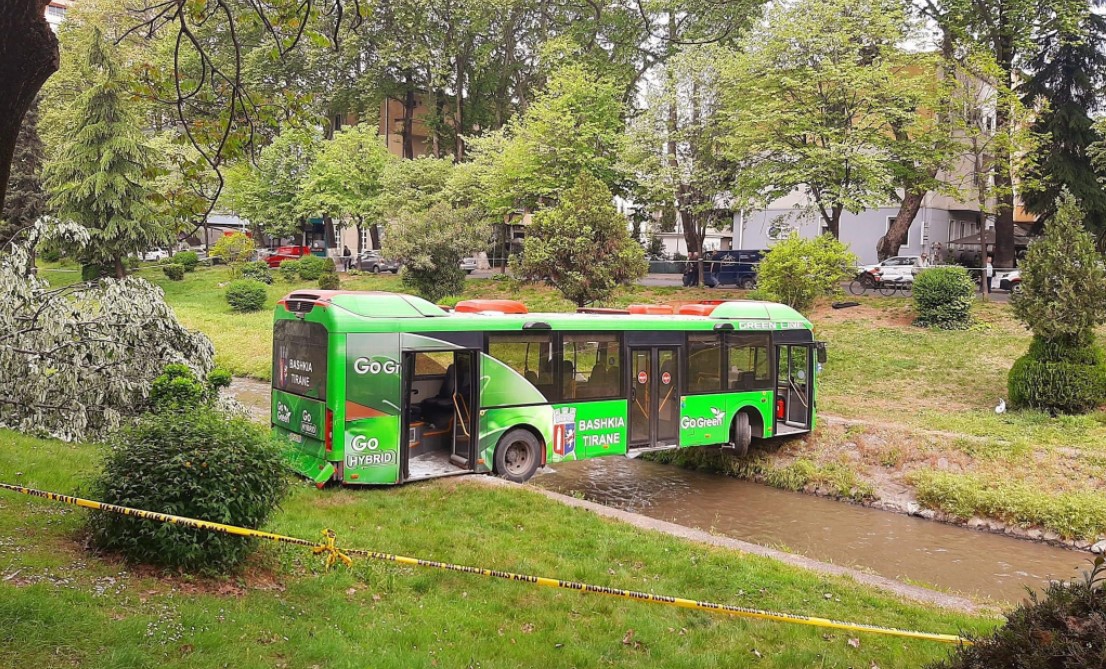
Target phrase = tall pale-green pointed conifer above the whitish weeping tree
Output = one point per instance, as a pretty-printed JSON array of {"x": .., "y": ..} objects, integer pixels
[{"x": 101, "y": 177}]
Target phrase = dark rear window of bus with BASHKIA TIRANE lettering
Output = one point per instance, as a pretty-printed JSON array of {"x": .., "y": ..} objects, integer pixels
[{"x": 300, "y": 359}]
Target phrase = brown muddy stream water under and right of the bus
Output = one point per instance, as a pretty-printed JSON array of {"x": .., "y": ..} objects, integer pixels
[{"x": 913, "y": 550}]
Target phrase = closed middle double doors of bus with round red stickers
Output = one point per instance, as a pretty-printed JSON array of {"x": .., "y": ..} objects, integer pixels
[{"x": 654, "y": 398}]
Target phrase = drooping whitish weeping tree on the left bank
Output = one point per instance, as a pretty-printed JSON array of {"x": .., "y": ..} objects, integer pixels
[{"x": 77, "y": 361}]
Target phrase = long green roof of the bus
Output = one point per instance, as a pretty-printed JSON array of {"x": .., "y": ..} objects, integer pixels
[{"x": 377, "y": 311}]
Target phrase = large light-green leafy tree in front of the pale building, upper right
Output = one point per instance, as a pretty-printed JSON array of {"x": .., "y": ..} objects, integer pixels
[{"x": 823, "y": 98}]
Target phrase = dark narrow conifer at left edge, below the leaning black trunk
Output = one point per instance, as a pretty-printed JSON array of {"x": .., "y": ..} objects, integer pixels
[{"x": 27, "y": 201}]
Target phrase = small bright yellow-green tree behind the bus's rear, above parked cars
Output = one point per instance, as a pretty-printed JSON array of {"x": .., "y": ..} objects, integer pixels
[{"x": 346, "y": 181}]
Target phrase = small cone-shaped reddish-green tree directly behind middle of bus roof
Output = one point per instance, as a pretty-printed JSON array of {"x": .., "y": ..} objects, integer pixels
[{"x": 582, "y": 247}]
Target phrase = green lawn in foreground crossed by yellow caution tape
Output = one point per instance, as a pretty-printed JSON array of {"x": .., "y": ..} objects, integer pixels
[{"x": 62, "y": 607}]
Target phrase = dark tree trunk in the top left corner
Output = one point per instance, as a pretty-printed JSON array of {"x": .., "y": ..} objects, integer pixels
[{"x": 28, "y": 57}]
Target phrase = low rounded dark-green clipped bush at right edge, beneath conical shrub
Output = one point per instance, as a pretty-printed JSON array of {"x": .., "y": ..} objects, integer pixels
[{"x": 1059, "y": 379}]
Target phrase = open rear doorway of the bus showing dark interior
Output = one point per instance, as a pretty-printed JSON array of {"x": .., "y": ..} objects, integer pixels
[{"x": 441, "y": 421}]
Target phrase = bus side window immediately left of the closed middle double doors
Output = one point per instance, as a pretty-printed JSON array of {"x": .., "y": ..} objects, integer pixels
[{"x": 592, "y": 367}]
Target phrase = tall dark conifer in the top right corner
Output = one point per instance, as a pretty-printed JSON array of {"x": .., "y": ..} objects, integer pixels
[{"x": 1070, "y": 71}]
